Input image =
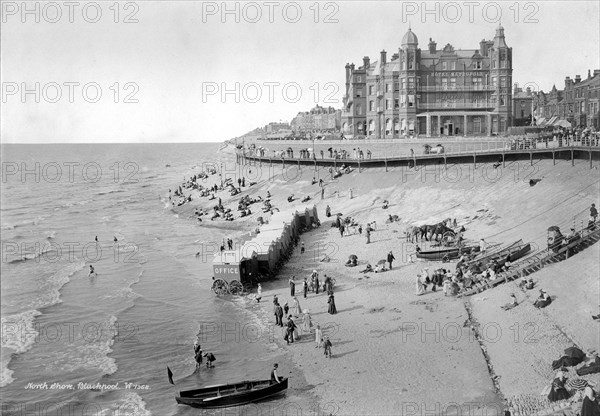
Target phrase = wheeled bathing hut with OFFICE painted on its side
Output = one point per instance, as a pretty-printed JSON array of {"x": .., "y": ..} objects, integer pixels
[{"x": 232, "y": 270}]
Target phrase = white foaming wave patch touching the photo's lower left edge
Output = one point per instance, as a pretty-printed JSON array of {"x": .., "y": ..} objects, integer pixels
[{"x": 18, "y": 336}]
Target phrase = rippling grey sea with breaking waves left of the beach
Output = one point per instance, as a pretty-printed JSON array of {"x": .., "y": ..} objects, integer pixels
[{"x": 100, "y": 344}]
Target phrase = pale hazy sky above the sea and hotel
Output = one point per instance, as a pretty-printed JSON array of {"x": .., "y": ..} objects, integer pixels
[{"x": 192, "y": 71}]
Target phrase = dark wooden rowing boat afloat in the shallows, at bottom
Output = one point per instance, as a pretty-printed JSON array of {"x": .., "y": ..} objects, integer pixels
[{"x": 234, "y": 394}]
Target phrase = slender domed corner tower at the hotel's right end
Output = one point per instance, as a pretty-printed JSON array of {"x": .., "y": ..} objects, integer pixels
[{"x": 501, "y": 73}]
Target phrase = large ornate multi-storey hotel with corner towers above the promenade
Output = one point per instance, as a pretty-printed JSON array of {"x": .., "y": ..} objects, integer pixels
[{"x": 432, "y": 92}]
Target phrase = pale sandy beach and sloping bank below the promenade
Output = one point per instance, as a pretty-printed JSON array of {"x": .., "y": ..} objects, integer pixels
[{"x": 395, "y": 352}]
